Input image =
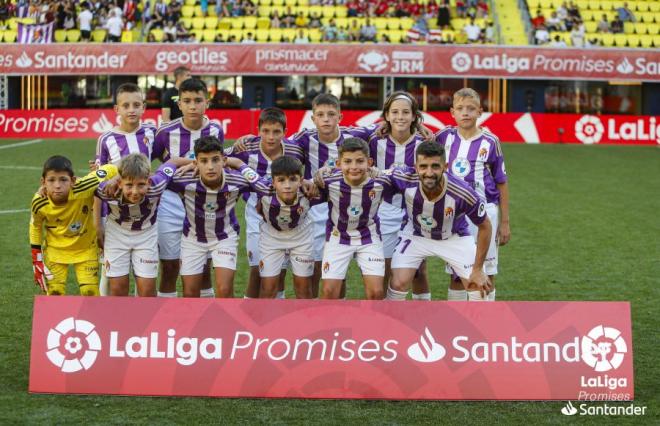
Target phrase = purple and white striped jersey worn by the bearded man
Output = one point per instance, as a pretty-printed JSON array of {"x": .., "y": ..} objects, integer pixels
[{"x": 443, "y": 217}]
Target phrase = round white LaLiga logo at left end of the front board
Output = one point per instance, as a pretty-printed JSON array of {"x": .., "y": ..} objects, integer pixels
[{"x": 73, "y": 358}]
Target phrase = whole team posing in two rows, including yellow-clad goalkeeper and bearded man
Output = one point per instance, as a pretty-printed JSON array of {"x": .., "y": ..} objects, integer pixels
[{"x": 389, "y": 195}]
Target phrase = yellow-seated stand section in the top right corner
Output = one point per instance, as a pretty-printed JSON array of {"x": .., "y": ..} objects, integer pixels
[{"x": 589, "y": 23}]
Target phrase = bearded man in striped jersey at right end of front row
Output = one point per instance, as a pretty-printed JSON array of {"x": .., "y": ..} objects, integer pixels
[{"x": 437, "y": 205}]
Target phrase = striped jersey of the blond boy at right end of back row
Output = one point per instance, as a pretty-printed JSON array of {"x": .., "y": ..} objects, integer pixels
[{"x": 478, "y": 161}]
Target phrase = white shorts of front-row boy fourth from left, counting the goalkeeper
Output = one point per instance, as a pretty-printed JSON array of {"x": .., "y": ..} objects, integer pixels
[{"x": 276, "y": 247}]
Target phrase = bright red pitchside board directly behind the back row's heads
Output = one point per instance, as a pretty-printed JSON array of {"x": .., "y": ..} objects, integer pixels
[{"x": 509, "y": 127}]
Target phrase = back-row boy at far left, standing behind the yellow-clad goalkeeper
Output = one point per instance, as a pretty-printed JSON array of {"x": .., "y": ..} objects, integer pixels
[{"x": 130, "y": 136}]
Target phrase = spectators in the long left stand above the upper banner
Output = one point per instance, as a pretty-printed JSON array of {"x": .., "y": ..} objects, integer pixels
[{"x": 432, "y": 19}]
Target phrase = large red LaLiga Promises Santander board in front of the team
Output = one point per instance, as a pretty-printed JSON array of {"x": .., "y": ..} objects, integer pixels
[{"x": 340, "y": 349}]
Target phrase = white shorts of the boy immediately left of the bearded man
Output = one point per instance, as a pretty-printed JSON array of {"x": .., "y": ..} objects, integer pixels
[{"x": 336, "y": 258}]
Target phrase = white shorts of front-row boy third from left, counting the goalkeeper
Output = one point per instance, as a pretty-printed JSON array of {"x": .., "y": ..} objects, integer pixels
[{"x": 194, "y": 254}]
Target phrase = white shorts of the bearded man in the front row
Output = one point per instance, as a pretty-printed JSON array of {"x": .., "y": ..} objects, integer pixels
[{"x": 457, "y": 251}]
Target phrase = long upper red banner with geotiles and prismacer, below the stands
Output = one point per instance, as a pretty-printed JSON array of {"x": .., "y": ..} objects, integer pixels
[{"x": 333, "y": 59}]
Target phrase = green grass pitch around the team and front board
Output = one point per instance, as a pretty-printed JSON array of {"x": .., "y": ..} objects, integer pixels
[{"x": 585, "y": 226}]
